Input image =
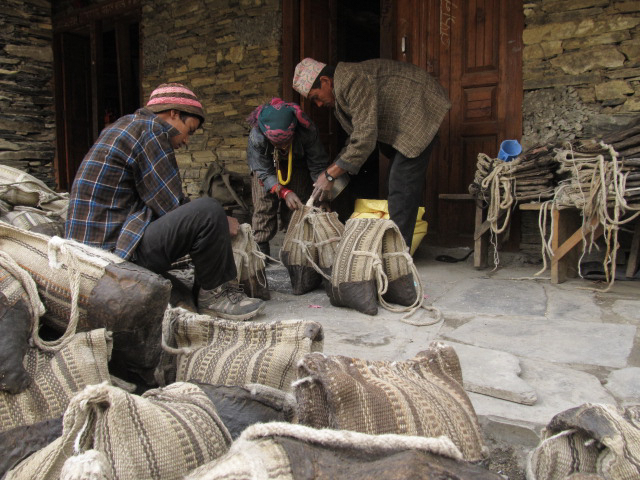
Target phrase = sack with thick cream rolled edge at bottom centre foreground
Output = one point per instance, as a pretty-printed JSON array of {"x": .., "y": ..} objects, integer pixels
[{"x": 280, "y": 451}]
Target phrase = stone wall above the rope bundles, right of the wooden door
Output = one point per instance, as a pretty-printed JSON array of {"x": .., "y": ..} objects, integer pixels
[{"x": 581, "y": 68}]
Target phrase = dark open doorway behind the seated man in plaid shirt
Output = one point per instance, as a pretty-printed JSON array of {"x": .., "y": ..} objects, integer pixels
[{"x": 97, "y": 78}]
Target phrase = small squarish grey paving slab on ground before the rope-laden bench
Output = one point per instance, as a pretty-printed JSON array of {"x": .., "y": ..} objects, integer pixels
[{"x": 572, "y": 305}]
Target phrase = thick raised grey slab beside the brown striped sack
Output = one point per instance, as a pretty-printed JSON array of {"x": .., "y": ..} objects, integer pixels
[{"x": 493, "y": 373}]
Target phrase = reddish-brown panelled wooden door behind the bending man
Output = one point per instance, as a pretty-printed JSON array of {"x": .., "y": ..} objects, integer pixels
[{"x": 474, "y": 49}]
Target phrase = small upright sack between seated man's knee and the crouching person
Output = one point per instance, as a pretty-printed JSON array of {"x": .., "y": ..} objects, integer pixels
[{"x": 250, "y": 263}]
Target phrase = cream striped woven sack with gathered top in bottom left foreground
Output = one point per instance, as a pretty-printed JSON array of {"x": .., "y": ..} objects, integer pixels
[{"x": 163, "y": 434}]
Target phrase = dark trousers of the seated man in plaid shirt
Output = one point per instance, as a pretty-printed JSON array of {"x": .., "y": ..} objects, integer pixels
[{"x": 198, "y": 228}]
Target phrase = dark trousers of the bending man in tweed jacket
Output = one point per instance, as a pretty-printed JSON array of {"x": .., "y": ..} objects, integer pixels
[{"x": 406, "y": 184}]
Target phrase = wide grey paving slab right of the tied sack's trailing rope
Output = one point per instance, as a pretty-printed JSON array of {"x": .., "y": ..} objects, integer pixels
[{"x": 496, "y": 297}]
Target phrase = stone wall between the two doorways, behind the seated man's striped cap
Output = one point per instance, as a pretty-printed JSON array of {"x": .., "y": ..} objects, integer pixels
[{"x": 228, "y": 52}]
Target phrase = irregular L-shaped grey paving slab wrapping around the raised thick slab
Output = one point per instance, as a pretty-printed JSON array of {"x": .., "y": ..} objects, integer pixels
[{"x": 559, "y": 388}]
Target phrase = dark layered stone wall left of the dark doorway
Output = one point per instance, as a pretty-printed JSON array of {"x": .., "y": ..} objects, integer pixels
[{"x": 27, "y": 122}]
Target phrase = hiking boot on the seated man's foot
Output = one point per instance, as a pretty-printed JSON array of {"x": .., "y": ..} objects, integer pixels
[{"x": 228, "y": 301}]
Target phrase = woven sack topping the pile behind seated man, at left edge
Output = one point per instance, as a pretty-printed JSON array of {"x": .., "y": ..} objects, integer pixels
[{"x": 20, "y": 188}]
